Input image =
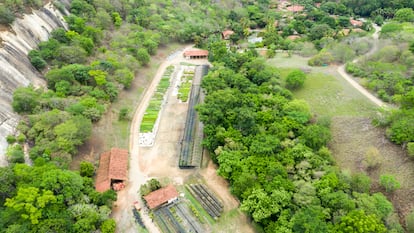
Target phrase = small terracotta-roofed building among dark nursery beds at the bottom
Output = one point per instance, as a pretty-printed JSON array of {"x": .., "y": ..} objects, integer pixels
[{"x": 161, "y": 196}]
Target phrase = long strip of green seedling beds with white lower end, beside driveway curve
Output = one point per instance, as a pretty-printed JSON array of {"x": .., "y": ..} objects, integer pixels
[{"x": 150, "y": 121}]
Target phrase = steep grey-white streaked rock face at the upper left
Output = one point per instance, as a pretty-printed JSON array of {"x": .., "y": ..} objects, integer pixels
[{"x": 15, "y": 68}]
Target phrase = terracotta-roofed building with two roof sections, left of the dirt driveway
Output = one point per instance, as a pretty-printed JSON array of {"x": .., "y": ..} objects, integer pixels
[{"x": 113, "y": 167}]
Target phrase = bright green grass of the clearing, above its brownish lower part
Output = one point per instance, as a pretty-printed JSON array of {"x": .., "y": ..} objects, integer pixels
[{"x": 327, "y": 93}]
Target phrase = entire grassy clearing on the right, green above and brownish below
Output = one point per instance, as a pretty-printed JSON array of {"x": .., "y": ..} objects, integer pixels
[{"x": 353, "y": 135}]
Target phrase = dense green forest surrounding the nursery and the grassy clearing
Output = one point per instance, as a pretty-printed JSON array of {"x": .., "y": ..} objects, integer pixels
[{"x": 266, "y": 143}]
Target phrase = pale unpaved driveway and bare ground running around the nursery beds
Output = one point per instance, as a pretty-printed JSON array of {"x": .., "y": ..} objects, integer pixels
[{"x": 161, "y": 159}]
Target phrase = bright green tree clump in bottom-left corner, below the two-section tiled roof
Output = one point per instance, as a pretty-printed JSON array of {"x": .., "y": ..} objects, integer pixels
[{"x": 51, "y": 199}]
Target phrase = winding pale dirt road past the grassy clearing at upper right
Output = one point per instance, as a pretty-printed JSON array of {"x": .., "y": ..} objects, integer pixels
[{"x": 356, "y": 85}]
